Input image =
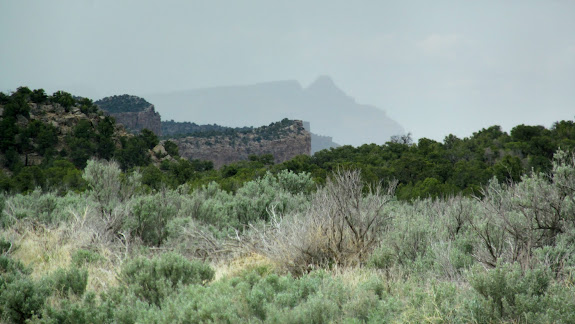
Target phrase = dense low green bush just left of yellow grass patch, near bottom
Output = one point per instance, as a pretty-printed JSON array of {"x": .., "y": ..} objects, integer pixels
[{"x": 153, "y": 279}]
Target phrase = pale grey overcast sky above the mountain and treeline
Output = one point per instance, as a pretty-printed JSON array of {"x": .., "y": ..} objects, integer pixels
[{"x": 436, "y": 67}]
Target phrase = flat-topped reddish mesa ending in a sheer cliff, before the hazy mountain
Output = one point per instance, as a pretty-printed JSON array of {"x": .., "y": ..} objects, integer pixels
[{"x": 288, "y": 140}]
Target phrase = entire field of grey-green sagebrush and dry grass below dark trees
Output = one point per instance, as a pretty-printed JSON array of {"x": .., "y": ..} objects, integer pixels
[{"x": 278, "y": 251}]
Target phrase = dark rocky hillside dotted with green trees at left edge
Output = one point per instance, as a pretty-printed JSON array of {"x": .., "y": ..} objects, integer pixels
[{"x": 46, "y": 140}]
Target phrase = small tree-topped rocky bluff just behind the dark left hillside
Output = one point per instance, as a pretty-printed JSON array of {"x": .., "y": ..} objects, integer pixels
[{"x": 133, "y": 112}]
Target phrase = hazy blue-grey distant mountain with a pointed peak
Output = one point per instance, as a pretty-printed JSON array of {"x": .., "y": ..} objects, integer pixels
[{"x": 328, "y": 109}]
